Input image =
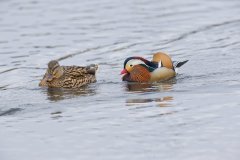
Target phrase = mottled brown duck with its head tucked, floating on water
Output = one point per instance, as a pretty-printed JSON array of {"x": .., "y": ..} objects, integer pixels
[{"x": 58, "y": 76}]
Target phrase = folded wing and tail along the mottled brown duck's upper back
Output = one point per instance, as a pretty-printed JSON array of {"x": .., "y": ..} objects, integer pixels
[{"x": 79, "y": 71}]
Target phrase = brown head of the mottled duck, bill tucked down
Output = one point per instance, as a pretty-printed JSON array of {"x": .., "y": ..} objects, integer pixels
[{"x": 54, "y": 71}]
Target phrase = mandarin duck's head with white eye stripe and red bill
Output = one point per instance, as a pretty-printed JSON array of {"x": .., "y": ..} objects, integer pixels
[{"x": 130, "y": 62}]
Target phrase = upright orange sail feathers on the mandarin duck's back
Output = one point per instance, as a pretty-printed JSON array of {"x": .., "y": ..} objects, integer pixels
[{"x": 164, "y": 59}]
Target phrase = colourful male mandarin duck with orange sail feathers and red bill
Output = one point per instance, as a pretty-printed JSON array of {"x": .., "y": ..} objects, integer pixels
[{"x": 161, "y": 68}]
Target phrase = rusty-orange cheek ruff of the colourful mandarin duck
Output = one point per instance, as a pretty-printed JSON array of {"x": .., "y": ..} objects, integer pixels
[{"x": 140, "y": 73}]
